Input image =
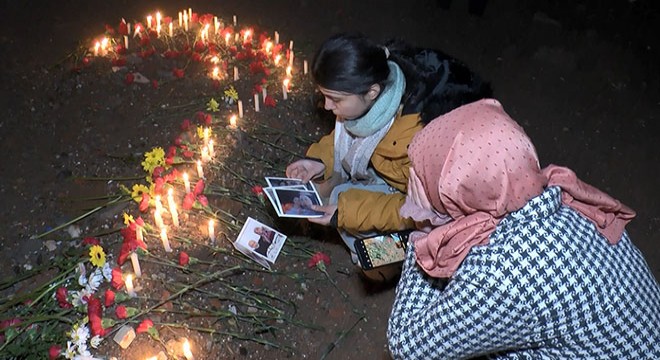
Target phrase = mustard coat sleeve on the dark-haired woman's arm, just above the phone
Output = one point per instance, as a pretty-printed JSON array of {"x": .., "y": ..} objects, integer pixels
[{"x": 365, "y": 211}]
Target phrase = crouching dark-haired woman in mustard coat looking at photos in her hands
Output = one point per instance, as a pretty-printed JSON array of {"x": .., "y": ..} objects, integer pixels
[{"x": 381, "y": 96}]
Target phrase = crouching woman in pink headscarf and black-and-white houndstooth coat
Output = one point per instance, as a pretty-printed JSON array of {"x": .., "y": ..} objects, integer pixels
[{"x": 522, "y": 262}]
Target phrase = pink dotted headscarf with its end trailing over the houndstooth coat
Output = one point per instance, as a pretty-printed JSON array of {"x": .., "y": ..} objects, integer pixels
[{"x": 476, "y": 165}]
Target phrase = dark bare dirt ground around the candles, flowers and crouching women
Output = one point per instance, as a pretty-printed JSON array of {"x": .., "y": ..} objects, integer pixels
[{"x": 581, "y": 77}]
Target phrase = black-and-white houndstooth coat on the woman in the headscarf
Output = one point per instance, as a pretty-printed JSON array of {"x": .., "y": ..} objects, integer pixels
[{"x": 548, "y": 286}]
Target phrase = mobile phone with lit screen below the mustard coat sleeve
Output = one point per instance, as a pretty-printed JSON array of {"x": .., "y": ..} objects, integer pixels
[{"x": 382, "y": 250}]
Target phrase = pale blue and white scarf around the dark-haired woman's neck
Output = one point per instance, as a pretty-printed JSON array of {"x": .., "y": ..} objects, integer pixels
[{"x": 355, "y": 142}]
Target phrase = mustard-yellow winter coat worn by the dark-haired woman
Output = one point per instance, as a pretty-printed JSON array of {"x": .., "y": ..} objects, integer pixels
[{"x": 365, "y": 211}]
